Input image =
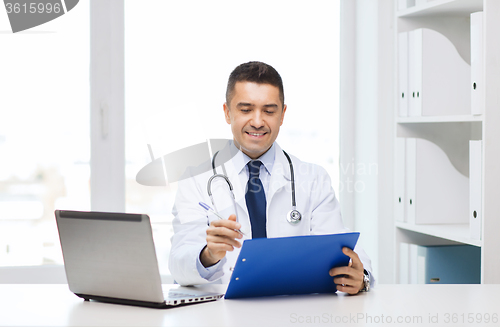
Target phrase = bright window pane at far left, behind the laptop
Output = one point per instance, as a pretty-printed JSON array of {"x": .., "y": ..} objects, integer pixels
[{"x": 44, "y": 134}]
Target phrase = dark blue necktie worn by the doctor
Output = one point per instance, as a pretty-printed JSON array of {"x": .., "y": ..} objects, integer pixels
[{"x": 256, "y": 201}]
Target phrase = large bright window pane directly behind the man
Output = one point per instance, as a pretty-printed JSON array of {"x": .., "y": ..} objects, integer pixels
[{"x": 178, "y": 56}]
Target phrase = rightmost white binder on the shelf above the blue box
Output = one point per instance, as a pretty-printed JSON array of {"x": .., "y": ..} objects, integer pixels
[{"x": 475, "y": 186}]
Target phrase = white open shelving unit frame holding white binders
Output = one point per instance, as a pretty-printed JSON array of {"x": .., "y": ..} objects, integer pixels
[{"x": 453, "y": 132}]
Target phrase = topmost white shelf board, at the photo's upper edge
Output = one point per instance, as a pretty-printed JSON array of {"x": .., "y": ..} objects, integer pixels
[{"x": 443, "y": 7}]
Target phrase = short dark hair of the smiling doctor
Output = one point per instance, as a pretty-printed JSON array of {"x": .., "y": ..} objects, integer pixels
[{"x": 257, "y": 72}]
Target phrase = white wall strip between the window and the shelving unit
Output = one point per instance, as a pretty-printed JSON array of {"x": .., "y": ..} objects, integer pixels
[{"x": 366, "y": 108}]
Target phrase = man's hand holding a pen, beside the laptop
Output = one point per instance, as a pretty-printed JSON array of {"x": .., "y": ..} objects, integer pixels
[{"x": 221, "y": 237}]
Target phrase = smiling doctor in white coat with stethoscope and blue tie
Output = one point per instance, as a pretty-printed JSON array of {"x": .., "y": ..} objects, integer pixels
[{"x": 255, "y": 110}]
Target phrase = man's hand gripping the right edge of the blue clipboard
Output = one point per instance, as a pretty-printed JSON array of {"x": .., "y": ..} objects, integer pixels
[{"x": 349, "y": 279}]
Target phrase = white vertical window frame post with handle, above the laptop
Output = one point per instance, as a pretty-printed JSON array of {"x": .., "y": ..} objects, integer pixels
[{"x": 107, "y": 105}]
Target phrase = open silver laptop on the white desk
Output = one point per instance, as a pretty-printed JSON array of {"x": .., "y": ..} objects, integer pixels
[{"x": 110, "y": 257}]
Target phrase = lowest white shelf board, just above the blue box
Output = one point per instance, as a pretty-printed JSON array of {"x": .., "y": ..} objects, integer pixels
[{"x": 453, "y": 232}]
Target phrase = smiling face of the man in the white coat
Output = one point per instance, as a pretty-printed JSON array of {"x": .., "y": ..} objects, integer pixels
[{"x": 255, "y": 113}]
